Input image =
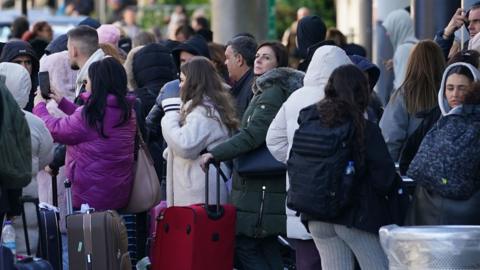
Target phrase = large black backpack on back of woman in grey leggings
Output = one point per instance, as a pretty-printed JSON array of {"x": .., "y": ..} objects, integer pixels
[{"x": 319, "y": 185}]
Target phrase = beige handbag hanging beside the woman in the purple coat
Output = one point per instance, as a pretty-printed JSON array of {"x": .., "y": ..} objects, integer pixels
[{"x": 145, "y": 192}]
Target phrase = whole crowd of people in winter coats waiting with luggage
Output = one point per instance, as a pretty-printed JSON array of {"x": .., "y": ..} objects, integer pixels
[{"x": 310, "y": 106}]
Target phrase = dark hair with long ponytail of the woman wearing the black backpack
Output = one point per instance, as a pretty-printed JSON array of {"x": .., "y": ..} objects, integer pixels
[{"x": 346, "y": 99}]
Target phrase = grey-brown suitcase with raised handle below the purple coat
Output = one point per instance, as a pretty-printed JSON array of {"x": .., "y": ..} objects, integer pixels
[{"x": 96, "y": 240}]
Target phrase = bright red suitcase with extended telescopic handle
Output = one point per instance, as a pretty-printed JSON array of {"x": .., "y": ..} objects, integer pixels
[{"x": 197, "y": 237}]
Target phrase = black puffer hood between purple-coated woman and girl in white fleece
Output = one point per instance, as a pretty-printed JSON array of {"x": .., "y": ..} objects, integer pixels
[{"x": 153, "y": 66}]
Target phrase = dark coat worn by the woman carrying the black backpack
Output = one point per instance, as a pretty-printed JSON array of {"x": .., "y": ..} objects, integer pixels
[{"x": 374, "y": 180}]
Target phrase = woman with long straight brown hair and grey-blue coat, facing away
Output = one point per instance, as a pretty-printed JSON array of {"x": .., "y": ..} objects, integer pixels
[{"x": 417, "y": 95}]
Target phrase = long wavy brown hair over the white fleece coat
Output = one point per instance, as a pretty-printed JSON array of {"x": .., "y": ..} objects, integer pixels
[{"x": 202, "y": 81}]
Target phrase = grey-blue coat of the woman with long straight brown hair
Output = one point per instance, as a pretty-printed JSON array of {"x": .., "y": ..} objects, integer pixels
[{"x": 397, "y": 124}]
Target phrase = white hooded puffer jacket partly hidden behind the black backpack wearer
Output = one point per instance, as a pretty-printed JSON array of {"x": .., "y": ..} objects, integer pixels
[{"x": 280, "y": 133}]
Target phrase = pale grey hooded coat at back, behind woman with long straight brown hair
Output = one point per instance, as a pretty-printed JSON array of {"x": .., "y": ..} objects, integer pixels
[{"x": 399, "y": 26}]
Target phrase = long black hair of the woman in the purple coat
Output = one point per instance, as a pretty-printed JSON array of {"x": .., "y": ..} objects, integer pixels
[{"x": 107, "y": 77}]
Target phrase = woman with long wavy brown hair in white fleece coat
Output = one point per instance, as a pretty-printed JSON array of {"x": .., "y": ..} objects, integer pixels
[{"x": 201, "y": 118}]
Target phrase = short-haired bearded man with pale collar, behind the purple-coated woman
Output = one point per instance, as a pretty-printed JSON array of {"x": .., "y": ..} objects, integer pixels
[{"x": 83, "y": 50}]
